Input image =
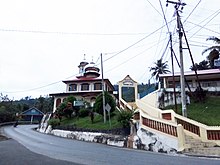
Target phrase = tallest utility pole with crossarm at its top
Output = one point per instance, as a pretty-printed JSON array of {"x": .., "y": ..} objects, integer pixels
[{"x": 182, "y": 79}]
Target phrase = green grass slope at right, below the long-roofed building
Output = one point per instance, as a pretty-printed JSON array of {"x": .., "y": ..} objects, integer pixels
[{"x": 207, "y": 113}]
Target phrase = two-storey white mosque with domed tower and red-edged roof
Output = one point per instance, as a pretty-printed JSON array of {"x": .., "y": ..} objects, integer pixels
[{"x": 86, "y": 86}]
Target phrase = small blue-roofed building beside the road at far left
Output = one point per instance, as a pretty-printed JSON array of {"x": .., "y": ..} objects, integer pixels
[{"x": 33, "y": 115}]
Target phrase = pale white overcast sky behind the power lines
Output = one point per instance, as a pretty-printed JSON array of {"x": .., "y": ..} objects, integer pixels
[{"x": 42, "y": 42}]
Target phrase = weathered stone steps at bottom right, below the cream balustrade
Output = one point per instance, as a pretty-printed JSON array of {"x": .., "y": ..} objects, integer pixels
[{"x": 198, "y": 148}]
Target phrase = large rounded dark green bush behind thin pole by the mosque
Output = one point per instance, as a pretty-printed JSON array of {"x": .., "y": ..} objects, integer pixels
[{"x": 98, "y": 106}]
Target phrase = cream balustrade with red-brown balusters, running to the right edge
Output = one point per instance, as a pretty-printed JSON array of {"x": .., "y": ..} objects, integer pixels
[{"x": 193, "y": 128}]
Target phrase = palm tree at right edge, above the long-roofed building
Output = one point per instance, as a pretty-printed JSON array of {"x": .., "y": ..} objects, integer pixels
[{"x": 214, "y": 50}]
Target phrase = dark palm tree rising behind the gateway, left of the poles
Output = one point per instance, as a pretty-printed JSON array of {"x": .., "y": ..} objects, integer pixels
[{"x": 159, "y": 68}]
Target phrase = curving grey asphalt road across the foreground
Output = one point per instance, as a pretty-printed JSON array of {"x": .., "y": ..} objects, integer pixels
[{"x": 91, "y": 153}]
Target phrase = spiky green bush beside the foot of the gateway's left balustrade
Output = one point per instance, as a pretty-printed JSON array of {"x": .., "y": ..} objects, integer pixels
[{"x": 124, "y": 117}]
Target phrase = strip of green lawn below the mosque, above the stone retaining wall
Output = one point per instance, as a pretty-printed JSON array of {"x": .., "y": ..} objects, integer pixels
[{"x": 98, "y": 122}]
